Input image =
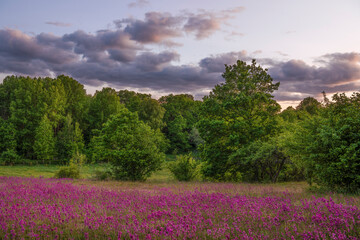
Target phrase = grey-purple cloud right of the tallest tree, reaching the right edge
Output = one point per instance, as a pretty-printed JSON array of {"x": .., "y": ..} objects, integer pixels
[{"x": 338, "y": 72}]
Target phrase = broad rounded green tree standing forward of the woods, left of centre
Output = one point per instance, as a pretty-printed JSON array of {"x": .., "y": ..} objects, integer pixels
[{"x": 132, "y": 147}]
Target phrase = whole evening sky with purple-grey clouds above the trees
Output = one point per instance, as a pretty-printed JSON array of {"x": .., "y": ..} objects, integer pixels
[{"x": 162, "y": 47}]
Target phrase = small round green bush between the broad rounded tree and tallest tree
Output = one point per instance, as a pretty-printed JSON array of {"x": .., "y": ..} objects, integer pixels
[{"x": 184, "y": 168}]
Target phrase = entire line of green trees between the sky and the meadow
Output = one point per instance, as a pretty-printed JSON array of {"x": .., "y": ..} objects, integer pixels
[{"x": 237, "y": 132}]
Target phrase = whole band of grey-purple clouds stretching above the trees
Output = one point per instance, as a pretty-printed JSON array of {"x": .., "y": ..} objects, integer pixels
[{"x": 121, "y": 58}]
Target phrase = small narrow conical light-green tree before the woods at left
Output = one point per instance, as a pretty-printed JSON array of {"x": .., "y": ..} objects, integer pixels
[{"x": 44, "y": 145}]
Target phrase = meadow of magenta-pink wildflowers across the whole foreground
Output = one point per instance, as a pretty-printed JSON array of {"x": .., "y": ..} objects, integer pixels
[{"x": 37, "y": 208}]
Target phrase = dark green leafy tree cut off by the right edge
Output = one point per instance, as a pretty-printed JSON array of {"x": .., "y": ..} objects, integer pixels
[{"x": 331, "y": 146}]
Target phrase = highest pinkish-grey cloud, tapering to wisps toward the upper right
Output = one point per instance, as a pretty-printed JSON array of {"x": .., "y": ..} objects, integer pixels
[{"x": 161, "y": 28}]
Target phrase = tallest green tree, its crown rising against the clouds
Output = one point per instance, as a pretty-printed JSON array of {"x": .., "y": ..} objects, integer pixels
[{"x": 236, "y": 113}]
